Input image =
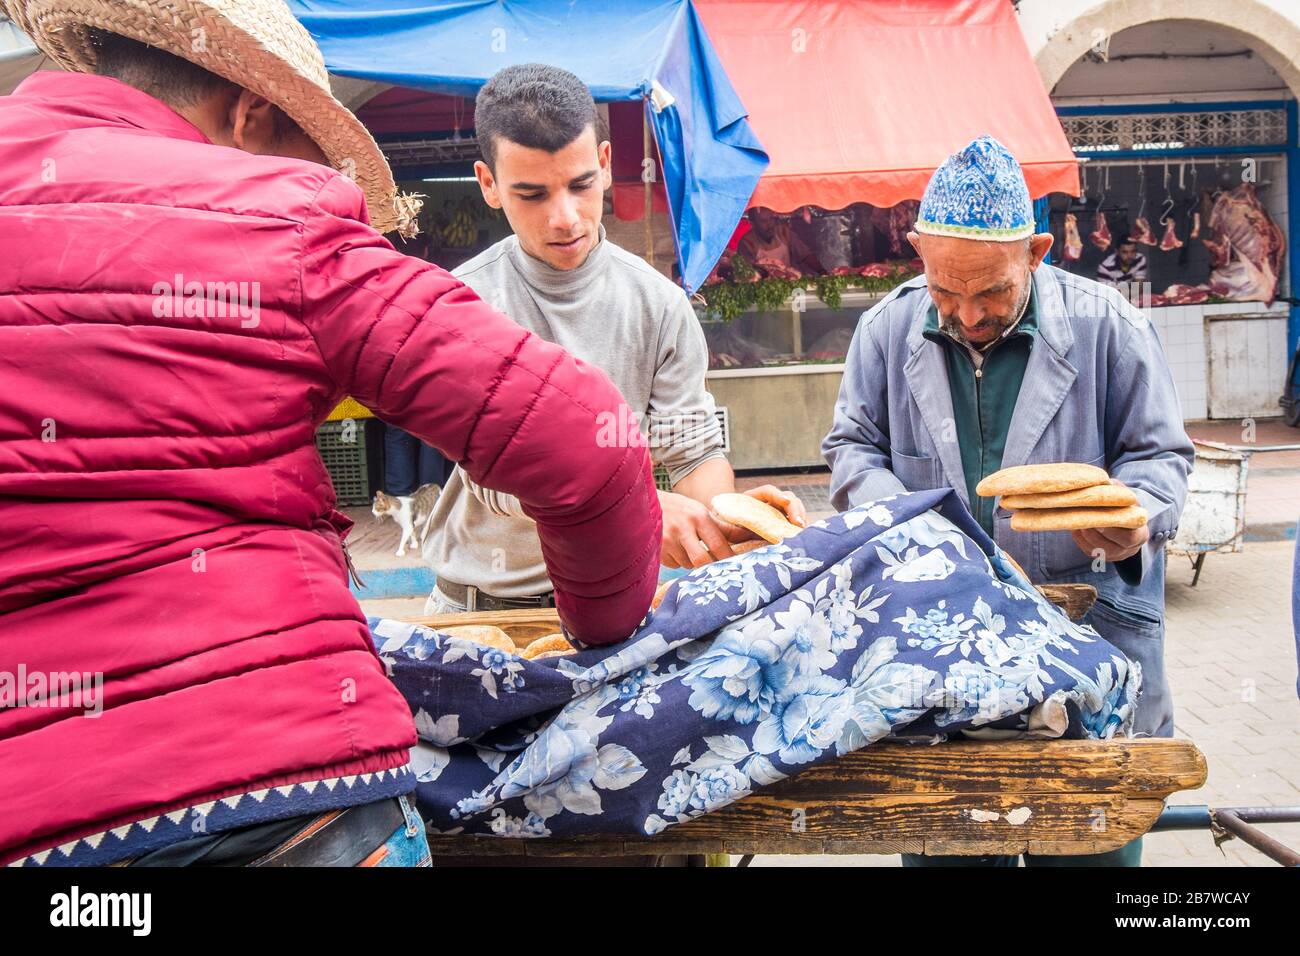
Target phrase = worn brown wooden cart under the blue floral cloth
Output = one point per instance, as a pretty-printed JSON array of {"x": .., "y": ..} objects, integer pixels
[{"x": 961, "y": 798}]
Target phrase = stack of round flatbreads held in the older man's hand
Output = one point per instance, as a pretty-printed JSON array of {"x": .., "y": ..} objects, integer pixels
[{"x": 1063, "y": 498}]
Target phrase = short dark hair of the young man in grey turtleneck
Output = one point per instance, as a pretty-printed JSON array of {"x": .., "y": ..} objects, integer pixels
[{"x": 536, "y": 106}]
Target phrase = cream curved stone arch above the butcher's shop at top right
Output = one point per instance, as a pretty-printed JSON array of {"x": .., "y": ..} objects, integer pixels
[{"x": 1275, "y": 37}]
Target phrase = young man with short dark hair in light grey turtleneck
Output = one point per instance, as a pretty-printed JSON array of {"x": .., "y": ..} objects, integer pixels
[{"x": 547, "y": 166}]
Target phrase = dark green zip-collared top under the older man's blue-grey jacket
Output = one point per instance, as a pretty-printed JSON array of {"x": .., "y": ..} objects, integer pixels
[{"x": 985, "y": 399}]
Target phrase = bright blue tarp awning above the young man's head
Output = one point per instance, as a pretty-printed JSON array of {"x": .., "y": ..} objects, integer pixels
[{"x": 636, "y": 50}]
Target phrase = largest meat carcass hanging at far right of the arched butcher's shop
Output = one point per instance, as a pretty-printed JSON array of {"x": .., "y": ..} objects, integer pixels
[{"x": 1246, "y": 248}]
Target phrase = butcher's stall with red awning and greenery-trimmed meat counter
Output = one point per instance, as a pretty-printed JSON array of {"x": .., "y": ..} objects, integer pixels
[{"x": 825, "y": 235}]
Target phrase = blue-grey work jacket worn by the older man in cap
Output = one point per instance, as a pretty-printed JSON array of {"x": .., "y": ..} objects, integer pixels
[{"x": 1098, "y": 390}]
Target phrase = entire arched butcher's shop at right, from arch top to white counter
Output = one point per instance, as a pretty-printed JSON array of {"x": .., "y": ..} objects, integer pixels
[{"x": 1188, "y": 197}]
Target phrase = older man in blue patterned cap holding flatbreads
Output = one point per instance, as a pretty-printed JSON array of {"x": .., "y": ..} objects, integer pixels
[{"x": 994, "y": 360}]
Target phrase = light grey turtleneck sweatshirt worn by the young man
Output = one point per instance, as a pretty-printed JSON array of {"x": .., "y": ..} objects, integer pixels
[{"x": 621, "y": 315}]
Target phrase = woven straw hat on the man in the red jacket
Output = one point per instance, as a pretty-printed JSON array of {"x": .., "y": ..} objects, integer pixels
[{"x": 257, "y": 45}]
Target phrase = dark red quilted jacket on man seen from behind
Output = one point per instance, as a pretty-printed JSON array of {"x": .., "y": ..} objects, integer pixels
[{"x": 167, "y": 521}]
